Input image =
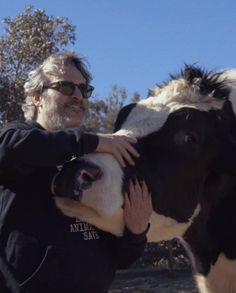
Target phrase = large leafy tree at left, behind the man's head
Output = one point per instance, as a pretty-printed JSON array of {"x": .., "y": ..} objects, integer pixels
[{"x": 29, "y": 38}]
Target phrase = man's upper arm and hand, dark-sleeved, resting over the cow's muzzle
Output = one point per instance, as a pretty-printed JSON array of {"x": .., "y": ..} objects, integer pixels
[{"x": 22, "y": 144}]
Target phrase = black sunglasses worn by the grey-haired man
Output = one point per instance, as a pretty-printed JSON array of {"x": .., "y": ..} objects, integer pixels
[{"x": 67, "y": 88}]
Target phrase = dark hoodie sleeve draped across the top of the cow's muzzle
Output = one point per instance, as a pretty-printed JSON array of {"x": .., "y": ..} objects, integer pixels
[{"x": 21, "y": 144}]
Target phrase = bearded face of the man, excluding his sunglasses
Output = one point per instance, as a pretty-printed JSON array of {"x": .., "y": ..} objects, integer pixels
[{"x": 59, "y": 111}]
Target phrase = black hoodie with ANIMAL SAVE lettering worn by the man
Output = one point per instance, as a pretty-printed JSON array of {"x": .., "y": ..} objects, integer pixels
[{"x": 42, "y": 250}]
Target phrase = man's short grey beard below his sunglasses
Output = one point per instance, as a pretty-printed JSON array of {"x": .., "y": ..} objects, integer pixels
[{"x": 69, "y": 115}]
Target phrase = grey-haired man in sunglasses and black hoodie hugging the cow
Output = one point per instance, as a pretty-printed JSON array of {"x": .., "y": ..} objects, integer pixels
[{"x": 41, "y": 249}]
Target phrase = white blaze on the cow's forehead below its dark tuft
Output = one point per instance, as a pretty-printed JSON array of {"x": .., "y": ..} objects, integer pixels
[{"x": 150, "y": 114}]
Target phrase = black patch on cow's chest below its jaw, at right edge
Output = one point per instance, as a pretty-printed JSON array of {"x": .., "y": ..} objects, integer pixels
[{"x": 212, "y": 233}]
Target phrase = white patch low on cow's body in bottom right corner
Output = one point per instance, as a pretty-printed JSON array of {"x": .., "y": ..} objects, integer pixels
[{"x": 221, "y": 278}]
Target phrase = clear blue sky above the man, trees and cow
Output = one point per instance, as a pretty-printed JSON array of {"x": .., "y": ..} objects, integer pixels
[{"x": 138, "y": 43}]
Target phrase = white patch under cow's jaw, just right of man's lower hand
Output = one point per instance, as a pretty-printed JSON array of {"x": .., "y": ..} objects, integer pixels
[{"x": 166, "y": 228}]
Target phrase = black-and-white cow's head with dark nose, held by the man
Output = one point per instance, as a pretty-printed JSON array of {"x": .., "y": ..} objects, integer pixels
[{"x": 185, "y": 132}]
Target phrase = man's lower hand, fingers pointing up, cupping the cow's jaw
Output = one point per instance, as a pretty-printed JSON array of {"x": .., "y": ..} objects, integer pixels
[{"x": 138, "y": 207}]
